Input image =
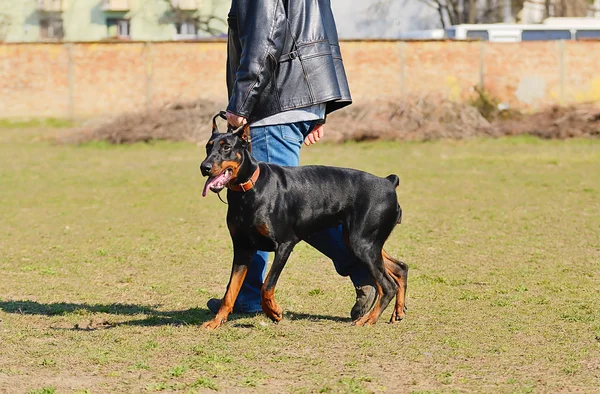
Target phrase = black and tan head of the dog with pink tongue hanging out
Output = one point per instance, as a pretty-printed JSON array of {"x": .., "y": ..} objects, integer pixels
[{"x": 225, "y": 153}]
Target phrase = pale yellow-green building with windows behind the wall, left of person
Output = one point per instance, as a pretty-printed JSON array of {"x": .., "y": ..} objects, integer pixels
[{"x": 96, "y": 20}]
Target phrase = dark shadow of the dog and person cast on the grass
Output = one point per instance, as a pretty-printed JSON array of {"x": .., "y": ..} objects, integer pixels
[{"x": 192, "y": 316}]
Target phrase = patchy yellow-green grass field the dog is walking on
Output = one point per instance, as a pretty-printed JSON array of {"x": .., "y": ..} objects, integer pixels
[{"x": 108, "y": 255}]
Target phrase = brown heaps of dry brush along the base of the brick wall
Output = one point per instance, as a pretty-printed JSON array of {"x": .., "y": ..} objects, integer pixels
[{"x": 416, "y": 119}]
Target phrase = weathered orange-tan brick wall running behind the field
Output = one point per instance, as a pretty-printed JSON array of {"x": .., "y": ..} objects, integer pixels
[{"x": 88, "y": 79}]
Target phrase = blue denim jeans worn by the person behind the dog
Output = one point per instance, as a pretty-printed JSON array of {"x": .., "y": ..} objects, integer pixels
[{"x": 281, "y": 144}]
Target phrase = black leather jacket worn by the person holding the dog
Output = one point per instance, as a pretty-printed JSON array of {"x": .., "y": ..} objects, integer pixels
[{"x": 273, "y": 65}]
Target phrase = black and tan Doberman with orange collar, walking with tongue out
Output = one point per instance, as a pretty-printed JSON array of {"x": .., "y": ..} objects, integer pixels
[{"x": 272, "y": 208}]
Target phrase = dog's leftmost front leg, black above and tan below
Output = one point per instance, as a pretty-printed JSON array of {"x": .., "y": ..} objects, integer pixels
[{"x": 241, "y": 259}]
